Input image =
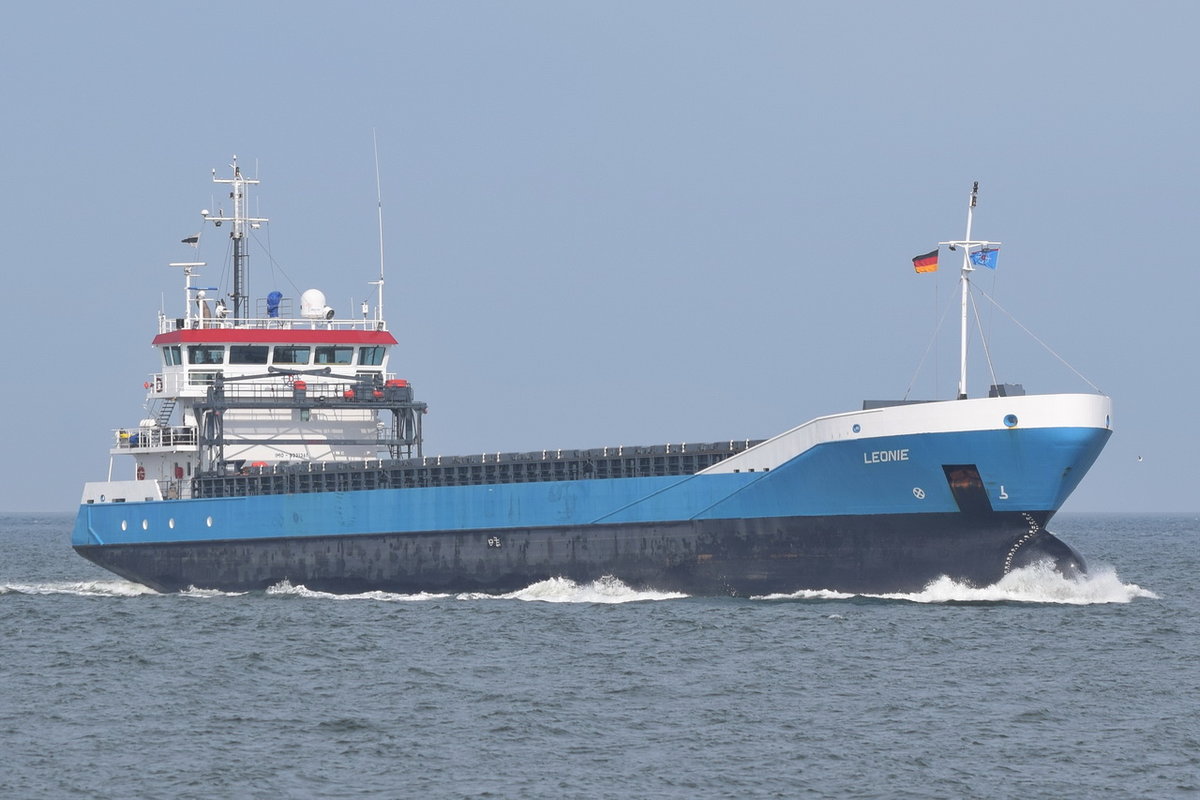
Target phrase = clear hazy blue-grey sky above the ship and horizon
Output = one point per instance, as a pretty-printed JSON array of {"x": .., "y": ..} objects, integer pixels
[{"x": 615, "y": 224}]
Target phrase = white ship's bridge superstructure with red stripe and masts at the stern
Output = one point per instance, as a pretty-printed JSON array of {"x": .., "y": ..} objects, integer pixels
[{"x": 261, "y": 382}]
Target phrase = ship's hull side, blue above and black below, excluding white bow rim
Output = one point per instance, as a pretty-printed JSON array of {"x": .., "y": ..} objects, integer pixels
[{"x": 866, "y": 515}]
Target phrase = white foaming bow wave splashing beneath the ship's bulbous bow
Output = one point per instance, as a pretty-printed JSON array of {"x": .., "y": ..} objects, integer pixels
[{"x": 1037, "y": 584}]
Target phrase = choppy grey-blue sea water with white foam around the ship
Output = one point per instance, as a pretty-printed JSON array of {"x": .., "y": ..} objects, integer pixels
[{"x": 1035, "y": 688}]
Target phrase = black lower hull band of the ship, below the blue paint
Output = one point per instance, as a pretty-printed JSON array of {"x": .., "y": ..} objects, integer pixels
[{"x": 860, "y": 555}]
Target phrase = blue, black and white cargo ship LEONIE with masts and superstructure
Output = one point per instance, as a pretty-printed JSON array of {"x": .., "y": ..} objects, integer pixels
[{"x": 280, "y": 444}]
